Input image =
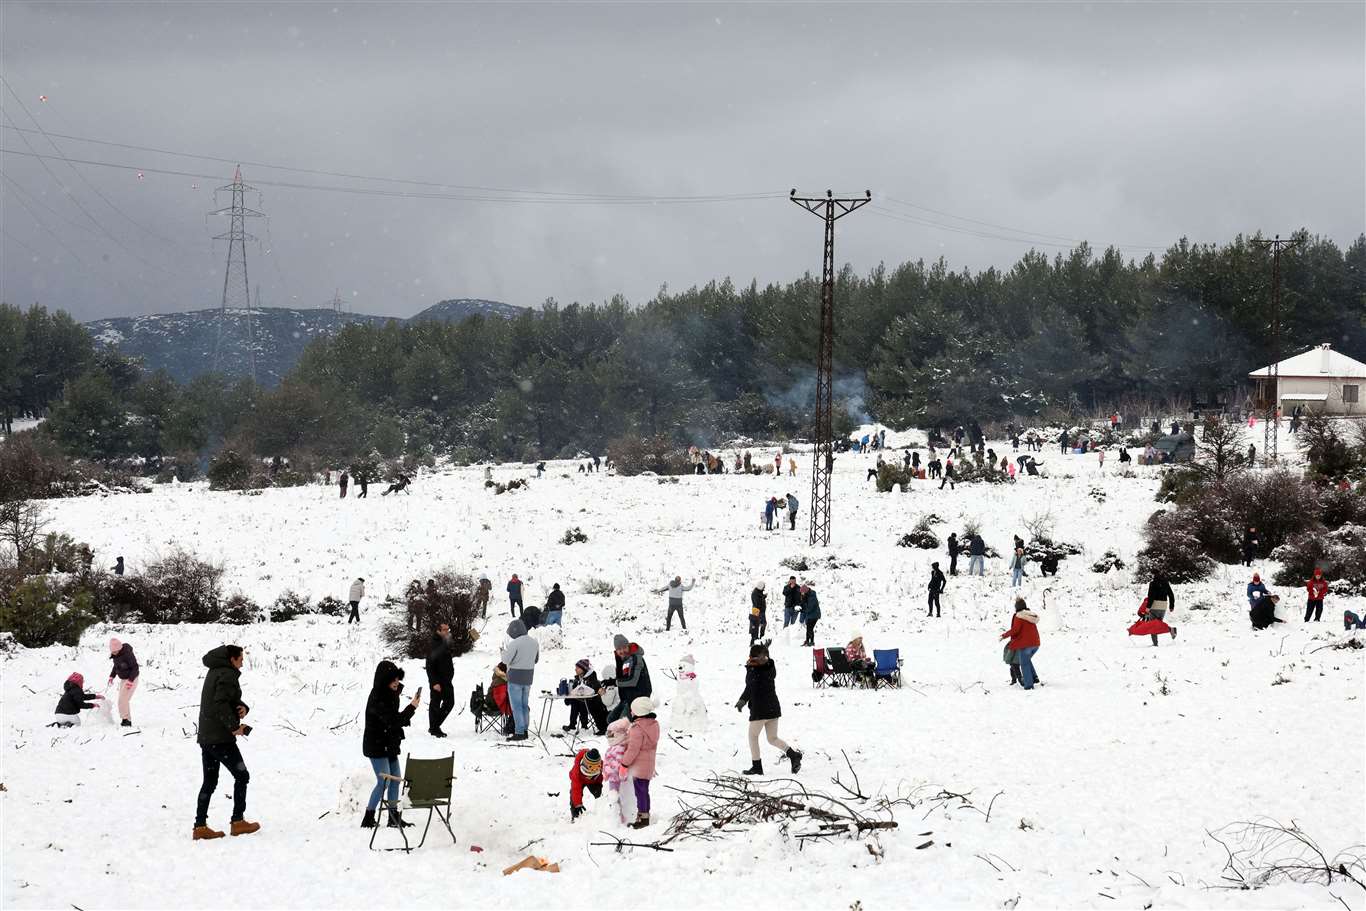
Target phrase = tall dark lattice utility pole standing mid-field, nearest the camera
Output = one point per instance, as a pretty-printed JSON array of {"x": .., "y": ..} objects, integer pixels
[{"x": 823, "y": 465}]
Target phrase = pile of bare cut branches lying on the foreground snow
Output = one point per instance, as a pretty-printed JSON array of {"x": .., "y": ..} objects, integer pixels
[{"x": 727, "y": 805}]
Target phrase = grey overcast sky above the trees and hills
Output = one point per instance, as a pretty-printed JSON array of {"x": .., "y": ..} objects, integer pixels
[{"x": 1119, "y": 124}]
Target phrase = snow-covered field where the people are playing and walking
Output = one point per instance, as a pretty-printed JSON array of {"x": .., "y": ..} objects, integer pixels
[{"x": 1103, "y": 785}]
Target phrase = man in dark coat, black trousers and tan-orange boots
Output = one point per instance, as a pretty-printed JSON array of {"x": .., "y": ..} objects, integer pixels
[{"x": 222, "y": 712}]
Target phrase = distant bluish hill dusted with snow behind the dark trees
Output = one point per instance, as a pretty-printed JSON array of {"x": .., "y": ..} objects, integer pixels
[{"x": 184, "y": 344}]
